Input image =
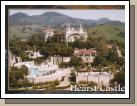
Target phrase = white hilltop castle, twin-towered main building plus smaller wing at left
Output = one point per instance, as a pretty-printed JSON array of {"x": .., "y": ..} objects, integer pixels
[{"x": 71, "y": 33}]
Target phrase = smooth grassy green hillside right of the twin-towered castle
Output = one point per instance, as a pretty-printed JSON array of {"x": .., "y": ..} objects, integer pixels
[{"x": 110, "y": 32}]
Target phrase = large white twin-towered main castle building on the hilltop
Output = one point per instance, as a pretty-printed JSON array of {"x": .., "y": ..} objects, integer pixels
[{"x": 71, "y": 34}]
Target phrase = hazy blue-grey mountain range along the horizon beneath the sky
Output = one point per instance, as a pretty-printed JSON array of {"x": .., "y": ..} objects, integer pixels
[{"x": 54, "y": 18}]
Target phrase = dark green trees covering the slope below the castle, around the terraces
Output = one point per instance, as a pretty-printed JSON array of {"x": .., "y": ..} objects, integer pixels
[{"x": 55, "y": 46}]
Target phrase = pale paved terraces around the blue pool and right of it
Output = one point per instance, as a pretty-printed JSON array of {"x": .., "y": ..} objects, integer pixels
[{"x": 103, "y": 78}]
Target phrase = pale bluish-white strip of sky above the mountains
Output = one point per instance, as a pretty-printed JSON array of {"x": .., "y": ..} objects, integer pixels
[{"x": 83, "y": 14}]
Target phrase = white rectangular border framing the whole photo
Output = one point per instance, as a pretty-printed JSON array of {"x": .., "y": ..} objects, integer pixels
[{"x": 126, "y": 95}]
